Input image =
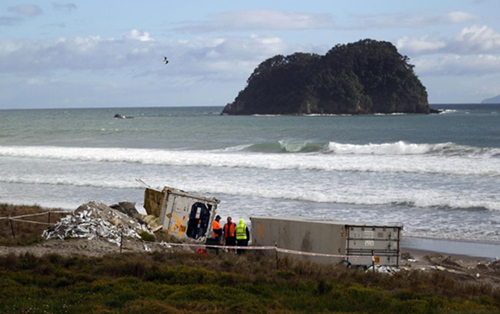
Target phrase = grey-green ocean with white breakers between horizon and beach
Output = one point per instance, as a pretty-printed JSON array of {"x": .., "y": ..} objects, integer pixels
[{"x": 438, "y": 175}]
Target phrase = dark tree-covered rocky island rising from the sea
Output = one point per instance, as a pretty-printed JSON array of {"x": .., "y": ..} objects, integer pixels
[{"x": 364, "y": 77}]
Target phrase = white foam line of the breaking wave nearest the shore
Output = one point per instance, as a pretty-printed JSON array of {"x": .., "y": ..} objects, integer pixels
[{"x": 410, "y": 199}]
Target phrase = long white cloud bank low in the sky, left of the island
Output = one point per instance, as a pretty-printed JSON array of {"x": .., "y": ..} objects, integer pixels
[{"x": 135, "y": 55}]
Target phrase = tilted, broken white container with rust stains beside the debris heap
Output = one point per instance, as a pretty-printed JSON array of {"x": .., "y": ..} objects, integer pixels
[{"x": 181, "y": 214}]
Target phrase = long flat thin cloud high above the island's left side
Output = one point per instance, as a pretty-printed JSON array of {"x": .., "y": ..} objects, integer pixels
[{"x": 260, "y": 20}]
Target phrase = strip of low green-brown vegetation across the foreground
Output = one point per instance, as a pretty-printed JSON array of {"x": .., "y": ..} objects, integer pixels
[{"x": 180, "y": 283}]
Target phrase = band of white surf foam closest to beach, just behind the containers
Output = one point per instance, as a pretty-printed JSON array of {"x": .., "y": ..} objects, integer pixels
[{"x": 264, "y": 185}]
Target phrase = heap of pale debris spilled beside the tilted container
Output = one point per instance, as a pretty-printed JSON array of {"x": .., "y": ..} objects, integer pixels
[{"x": 99, "y": 220}]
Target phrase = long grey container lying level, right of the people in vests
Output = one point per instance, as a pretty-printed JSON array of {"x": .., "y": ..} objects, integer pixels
[{"x": 356, "y": 243}]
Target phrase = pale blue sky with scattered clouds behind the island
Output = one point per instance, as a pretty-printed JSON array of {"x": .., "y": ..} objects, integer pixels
[{"x": 95, "y": 53}]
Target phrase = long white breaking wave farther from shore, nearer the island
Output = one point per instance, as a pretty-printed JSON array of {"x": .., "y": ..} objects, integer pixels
[{"x": 354, "y": 158}]
